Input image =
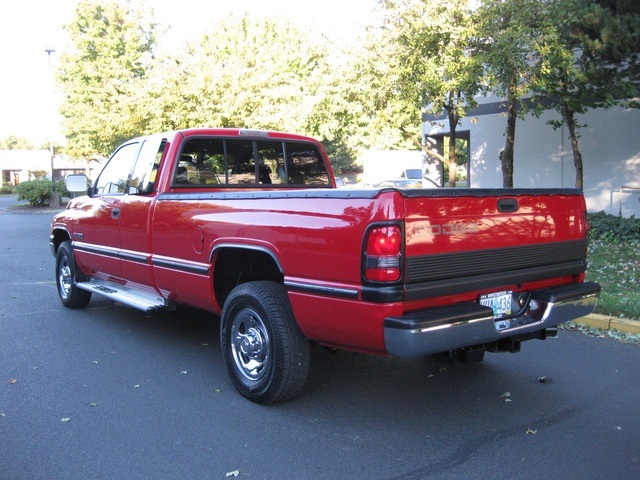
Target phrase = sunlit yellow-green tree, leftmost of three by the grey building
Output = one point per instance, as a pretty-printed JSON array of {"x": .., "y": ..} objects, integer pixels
[{"x": 422, "y": 63}]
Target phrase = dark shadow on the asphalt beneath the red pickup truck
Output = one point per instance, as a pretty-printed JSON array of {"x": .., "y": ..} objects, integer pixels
[{"x": 409, "y": 385}]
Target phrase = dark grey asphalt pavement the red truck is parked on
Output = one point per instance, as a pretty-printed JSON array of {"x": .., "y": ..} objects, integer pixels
[{"x": 109, "y": 392}]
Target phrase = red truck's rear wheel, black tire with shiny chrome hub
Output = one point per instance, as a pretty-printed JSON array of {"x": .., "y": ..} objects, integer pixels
[{"x": 266, "y": 354}]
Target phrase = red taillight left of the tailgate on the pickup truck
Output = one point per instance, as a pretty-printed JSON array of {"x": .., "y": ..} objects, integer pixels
[{"x": 382, "y": 254}]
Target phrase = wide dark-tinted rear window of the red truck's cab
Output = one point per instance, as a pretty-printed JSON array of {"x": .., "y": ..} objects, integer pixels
[{"x": 245, "y": 162}]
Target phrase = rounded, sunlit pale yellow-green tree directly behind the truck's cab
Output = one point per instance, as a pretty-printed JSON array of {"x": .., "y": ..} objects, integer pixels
[{"x": 250, "y": 73}]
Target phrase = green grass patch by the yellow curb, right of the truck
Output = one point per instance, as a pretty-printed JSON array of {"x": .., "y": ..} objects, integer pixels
[{"x": 615, "y": 265}]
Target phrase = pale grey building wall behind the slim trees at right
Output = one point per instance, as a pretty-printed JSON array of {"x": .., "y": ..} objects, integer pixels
[{"x": 609, "y": 144}]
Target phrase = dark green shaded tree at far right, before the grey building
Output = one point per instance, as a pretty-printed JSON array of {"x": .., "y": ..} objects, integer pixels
[{"x": 589, "y": 58}]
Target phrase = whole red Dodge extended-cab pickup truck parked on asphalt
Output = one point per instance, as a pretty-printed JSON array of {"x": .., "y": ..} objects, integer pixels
[{"x": 250, "y": 226}]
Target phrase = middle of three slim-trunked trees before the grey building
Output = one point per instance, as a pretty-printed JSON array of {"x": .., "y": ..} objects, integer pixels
[{"x": 507, "y": 44}]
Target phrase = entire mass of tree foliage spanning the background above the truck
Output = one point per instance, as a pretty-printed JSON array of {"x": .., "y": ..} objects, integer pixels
[{"x": 424, "y": 56}]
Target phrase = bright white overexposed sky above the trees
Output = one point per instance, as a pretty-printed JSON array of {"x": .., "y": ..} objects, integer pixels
[{"x": 28, "y": 96}]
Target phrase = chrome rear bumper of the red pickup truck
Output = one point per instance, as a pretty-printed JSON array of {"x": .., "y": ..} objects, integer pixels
[{"x": 443, "y": 329}]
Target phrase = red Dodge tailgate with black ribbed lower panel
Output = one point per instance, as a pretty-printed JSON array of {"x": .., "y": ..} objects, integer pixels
[{"x": 467, "y": 240}]
